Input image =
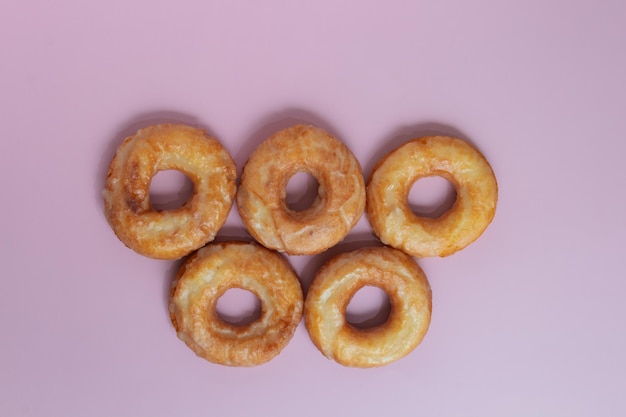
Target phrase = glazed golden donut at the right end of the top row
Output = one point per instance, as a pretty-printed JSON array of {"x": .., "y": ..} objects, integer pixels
[{"x": 455, "y": 160}]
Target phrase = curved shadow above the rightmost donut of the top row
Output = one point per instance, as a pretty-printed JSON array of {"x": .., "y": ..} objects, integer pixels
[{"x": 403, "y": 134}]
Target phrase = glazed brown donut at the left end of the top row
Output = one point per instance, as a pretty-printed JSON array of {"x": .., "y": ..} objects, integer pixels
[{"x": 169, "y": 234}]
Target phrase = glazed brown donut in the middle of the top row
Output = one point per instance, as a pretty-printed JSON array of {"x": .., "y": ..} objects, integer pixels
[{"x": 261, "y": 194}]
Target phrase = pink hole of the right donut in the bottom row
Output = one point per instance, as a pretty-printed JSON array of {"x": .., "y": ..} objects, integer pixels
[{"x": 369, "y": 307}]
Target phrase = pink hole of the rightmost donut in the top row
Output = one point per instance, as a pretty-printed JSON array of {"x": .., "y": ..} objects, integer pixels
[{"x": 431, "y": 197}]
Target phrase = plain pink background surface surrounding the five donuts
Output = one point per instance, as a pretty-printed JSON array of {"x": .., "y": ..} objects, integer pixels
[{"x": 527, "y": 321}]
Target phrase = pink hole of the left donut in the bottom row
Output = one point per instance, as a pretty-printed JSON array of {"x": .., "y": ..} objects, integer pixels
[{"x": 238, "y": 307}]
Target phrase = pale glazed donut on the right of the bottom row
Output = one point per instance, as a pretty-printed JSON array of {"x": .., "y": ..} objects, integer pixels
[{"x": 334, "y": 286}]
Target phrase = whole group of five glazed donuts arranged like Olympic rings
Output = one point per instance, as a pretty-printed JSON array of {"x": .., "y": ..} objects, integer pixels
[{"x": 260, "y": 267}]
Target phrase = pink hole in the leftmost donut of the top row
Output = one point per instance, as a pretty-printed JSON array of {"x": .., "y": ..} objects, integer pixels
[{"x": 170, "y": 189}]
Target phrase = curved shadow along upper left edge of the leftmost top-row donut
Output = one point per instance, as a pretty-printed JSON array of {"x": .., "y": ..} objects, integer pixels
[{"x": 131, "y": 127}]
